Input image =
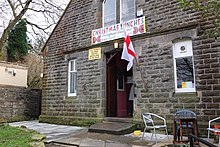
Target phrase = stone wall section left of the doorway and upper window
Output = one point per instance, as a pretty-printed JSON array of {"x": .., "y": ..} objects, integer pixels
[{"x": 72, "y": 33}]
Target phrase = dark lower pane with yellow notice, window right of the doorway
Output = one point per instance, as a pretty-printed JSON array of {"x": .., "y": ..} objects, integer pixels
[{"x": 184, "y": 71}]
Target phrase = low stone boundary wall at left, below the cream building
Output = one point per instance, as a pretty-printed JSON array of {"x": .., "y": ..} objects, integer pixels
[{"x": 19, "y": 104}]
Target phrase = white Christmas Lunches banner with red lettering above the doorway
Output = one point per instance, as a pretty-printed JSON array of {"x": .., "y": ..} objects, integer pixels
[{"x": 132, "y": 27}]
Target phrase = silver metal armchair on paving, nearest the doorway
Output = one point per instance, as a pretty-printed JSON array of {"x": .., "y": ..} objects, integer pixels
[{"x": 150, "y": 123}]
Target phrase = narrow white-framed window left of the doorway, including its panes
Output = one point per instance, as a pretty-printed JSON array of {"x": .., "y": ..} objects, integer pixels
[{"x": 72, "y": 78}]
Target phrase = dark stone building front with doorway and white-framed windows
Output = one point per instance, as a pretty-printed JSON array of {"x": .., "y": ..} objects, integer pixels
[{"x": 157, "y": 87}]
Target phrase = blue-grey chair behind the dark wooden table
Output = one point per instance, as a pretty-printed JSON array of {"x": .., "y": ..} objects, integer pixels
[{"x": 183, "y": 114}]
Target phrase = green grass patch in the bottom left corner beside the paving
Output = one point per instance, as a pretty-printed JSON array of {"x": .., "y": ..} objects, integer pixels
[{"x": 15, "y": 136}]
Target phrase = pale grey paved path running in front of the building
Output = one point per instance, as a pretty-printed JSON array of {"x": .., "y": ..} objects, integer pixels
[{"x": 61, "y": 135}]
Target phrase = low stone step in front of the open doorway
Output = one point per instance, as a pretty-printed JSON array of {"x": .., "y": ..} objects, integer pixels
[{"x": 115, "y": 128}]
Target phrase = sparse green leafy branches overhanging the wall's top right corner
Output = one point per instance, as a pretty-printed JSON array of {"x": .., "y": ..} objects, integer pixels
[{"x": 210, "y": 9}]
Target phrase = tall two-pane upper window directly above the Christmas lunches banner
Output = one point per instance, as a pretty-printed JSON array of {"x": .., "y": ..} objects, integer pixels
[{"x": 116, "y": 11}]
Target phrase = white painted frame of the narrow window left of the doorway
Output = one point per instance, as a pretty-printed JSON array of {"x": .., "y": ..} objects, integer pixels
[{"x": 69, "y": 76}]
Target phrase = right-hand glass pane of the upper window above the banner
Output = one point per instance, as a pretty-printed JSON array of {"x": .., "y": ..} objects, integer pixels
[{"x": 128, "y": 10}]
